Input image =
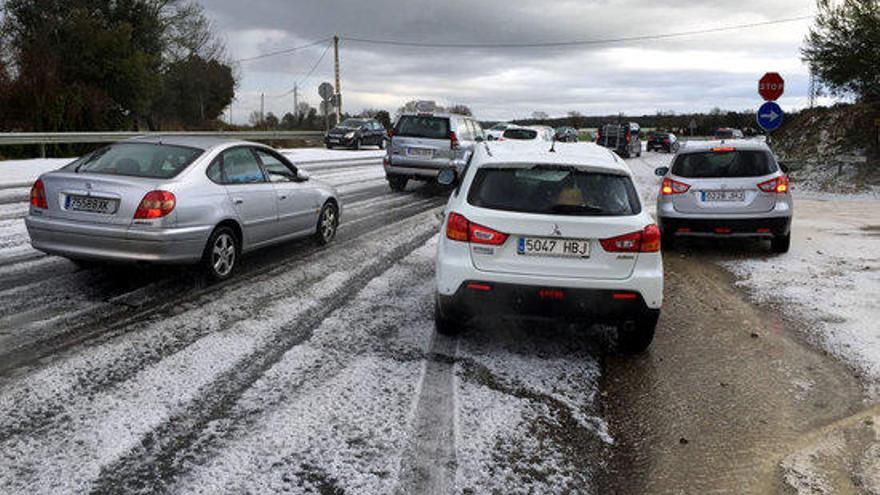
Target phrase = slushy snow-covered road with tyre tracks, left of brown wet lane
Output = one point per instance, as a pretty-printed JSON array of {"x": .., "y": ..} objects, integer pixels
[{"x": 313, "y": 370}]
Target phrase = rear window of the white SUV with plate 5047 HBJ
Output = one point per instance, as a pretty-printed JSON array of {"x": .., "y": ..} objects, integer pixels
[{"x": 554, "y": 190}]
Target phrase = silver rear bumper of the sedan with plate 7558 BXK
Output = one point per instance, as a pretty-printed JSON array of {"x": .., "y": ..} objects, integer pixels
[{"x": 117, "y": 243}]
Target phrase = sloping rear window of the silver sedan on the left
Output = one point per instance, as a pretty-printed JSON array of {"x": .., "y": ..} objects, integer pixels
[{"x": 149, "y": 160}]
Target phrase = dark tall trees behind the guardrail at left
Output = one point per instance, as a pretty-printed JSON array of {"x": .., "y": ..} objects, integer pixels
[{"x": 94, "y": 65}]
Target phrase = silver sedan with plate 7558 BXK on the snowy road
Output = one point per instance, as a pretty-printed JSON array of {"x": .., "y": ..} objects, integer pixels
[{"x": 178, "y": 200}]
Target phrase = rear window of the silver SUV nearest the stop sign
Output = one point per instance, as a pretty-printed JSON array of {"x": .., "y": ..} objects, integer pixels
[{"x": 743, "y": 163}]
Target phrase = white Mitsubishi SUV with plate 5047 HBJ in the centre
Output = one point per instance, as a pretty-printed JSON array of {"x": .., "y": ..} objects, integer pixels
[{"x": 550, "y": 234}]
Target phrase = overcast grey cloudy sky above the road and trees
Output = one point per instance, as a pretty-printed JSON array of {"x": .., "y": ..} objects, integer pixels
[{"x": 692, "y": 73}]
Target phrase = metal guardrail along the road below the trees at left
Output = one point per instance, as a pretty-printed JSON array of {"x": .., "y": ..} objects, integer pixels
[{"x": 44, "y": 138}]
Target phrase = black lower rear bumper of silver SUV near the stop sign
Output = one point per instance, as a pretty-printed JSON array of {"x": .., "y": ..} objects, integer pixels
[{"x": 736, "y": 227}]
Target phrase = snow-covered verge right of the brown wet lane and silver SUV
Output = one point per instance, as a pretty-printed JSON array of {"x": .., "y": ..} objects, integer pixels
[{"x": 830, "y": 278}]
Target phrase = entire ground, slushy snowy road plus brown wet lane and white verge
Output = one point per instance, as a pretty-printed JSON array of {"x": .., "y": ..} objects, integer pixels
[{"x": 317, "y": 370}]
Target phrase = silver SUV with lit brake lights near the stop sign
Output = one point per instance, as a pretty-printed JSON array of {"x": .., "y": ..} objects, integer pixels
[{"x": 725, "y": 189}]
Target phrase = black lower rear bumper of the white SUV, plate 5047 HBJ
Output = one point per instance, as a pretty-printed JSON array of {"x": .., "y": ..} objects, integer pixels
[{"x": 478, "y": 298}]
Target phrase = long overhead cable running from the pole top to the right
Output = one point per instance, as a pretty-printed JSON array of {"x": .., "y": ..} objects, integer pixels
[{"x": 552, "y": 44}]
